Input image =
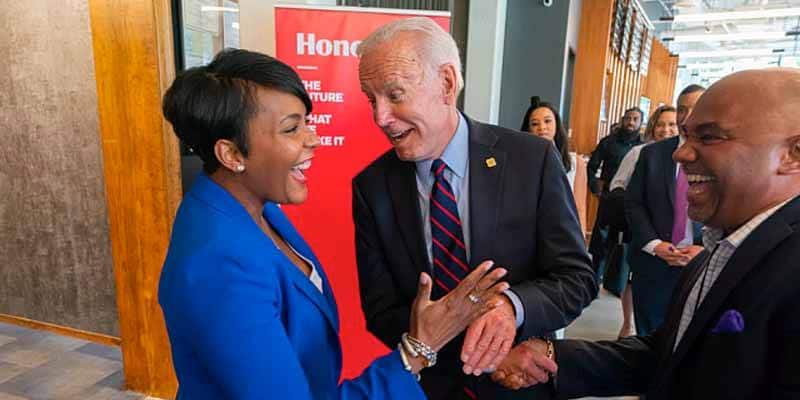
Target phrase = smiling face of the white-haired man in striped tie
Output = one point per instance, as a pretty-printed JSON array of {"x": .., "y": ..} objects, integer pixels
[{"x": 412, "y": 104}]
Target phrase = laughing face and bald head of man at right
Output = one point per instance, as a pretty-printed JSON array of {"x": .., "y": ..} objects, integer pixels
[{"x": 737, "y": 165}]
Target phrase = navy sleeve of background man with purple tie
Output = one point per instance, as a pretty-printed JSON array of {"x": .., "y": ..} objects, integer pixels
[{"x": 642, "y": 229}]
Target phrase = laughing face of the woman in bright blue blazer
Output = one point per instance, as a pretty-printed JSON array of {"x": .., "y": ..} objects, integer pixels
[{"x": 280, "y": 149}]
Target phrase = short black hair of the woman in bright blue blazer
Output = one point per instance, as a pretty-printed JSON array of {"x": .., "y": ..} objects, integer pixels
[{"x": 216, "y": 101}]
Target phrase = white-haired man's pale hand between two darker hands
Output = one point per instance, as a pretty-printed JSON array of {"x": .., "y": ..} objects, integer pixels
[{"x": 489, "y": 338}]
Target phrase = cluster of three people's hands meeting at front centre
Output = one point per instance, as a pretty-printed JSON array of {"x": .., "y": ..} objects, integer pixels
[{"x": 491, "y": 329}]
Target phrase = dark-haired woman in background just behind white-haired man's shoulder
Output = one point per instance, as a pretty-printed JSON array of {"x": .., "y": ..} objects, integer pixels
[{"x": 542, "y": 119}]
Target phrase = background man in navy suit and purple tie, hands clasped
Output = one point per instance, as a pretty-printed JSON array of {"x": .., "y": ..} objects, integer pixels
[{"x": 663, "y": 239}]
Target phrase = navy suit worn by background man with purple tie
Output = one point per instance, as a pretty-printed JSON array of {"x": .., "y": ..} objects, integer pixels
[{"x": 649, "y": 200}]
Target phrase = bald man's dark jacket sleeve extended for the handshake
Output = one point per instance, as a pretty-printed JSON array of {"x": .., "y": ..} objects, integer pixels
[{"x": 606, "y": 368}]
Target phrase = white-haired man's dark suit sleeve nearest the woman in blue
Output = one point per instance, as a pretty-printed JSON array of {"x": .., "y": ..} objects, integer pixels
[{"x": 385, "y": 310}]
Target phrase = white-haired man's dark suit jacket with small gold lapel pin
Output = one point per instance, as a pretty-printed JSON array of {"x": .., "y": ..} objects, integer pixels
[{"x": 522, "y": 216}]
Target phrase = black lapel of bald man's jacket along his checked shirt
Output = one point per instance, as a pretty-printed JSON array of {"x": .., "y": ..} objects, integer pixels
[{"x": 771, "y": 232}]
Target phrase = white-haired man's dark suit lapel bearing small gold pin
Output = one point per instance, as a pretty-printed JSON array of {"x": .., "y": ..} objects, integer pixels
[{"x": 485, "y": 190}]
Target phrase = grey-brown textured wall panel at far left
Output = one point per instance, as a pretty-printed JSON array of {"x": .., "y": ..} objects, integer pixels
[{"x": 55, "y": 253}]
